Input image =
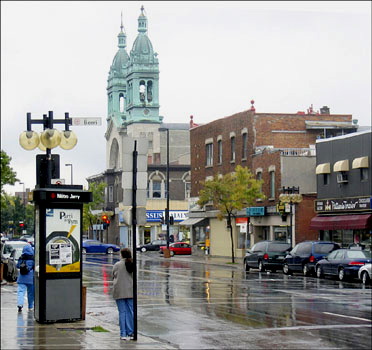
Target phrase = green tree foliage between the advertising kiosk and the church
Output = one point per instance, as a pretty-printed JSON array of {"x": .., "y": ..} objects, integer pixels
[{"x": 98, "y": 194}]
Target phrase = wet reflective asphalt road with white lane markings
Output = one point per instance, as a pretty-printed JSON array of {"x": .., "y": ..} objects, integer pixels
[{"x": 197, "y": 306}]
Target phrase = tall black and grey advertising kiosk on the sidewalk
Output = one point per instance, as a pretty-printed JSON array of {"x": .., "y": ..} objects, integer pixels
[{"x": 58, "y": 256}]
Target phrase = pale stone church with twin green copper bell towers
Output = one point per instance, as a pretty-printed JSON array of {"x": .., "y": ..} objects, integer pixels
[{"x": 133, "y": 112}]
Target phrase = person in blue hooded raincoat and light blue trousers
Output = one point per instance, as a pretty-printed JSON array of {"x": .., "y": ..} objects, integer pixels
[{"x": 25, "y": 280}]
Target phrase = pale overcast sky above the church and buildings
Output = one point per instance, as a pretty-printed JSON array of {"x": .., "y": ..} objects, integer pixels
[{"x": 214, "y": 58}]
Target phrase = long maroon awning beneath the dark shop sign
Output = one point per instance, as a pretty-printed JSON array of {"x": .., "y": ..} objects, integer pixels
[{"x": 339, "y": 222}]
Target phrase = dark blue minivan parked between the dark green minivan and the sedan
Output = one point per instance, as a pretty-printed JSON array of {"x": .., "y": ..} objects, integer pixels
[{"x": 304, "y": 256}]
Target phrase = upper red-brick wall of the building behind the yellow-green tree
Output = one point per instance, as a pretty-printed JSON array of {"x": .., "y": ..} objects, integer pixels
[{"x": 278, "y": 130}]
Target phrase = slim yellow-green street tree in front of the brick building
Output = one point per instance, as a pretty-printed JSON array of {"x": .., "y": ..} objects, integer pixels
[{"x": 229, "y": 194}]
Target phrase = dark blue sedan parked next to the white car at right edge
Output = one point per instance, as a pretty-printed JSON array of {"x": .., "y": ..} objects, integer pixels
[{"x": 344, "y": 263}]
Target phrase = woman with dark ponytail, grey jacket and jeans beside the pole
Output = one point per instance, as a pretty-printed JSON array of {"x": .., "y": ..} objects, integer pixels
[{"x": 122, "y": 274}]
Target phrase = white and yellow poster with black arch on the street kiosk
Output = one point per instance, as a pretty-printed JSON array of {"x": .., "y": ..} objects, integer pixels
[{"x": 62, "y": 240}]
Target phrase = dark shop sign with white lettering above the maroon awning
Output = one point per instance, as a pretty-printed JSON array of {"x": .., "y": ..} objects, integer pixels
[{"x": 343, "y": 204}]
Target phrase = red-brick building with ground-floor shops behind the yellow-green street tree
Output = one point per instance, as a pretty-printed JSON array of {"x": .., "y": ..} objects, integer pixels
[{"x": 278, "y": 148}]
